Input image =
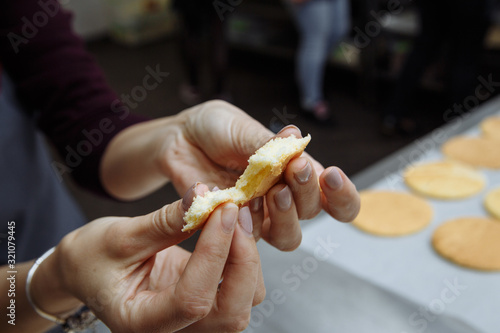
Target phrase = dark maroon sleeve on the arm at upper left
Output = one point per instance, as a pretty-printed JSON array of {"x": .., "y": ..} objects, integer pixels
[{"x": 61, "y": 84}]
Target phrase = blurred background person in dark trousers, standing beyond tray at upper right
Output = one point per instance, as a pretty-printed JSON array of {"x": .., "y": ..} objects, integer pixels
[{"x": 456, "y": 27}]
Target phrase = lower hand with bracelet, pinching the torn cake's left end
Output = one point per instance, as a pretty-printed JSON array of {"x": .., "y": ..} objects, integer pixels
[{"x": 134, "y": 278}]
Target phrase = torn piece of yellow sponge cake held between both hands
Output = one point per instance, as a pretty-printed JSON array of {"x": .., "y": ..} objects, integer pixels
[{"x": 264, "y": 169}]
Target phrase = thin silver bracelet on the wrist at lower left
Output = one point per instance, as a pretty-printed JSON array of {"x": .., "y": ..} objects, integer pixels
[{"x": 81, "y": 320}]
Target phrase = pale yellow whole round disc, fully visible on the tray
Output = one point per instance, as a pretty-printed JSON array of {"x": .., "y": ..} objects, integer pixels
[{"x": 444, "y": 180}]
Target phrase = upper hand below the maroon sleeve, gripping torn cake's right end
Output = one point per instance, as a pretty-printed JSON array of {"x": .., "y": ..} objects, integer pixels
[{"x": 213, "y": 144}]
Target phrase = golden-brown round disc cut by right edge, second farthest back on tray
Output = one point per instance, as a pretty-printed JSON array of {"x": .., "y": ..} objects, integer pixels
[{"x": 480, "y": 152}]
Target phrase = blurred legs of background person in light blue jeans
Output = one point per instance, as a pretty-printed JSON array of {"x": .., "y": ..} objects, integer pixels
[{"x": 321, "y": 24}]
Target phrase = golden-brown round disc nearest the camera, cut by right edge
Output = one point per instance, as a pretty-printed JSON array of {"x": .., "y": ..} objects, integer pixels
[{"x": 472, "y": 242}]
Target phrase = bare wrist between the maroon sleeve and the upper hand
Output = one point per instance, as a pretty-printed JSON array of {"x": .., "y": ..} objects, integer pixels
[{"x": 132, "y": 164}]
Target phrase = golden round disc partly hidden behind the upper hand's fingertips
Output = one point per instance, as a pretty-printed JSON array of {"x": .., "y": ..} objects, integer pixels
[{"x": 387, "y": 213}]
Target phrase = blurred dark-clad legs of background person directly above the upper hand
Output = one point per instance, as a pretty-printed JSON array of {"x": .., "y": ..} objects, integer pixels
[{"x": 201, "y": 25}]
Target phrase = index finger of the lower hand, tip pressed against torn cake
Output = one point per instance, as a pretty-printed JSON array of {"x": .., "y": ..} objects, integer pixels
[{"x": 197, "y": 287}]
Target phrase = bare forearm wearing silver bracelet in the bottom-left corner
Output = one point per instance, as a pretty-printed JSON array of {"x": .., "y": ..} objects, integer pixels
[{"x": 46, "y": 292}]
